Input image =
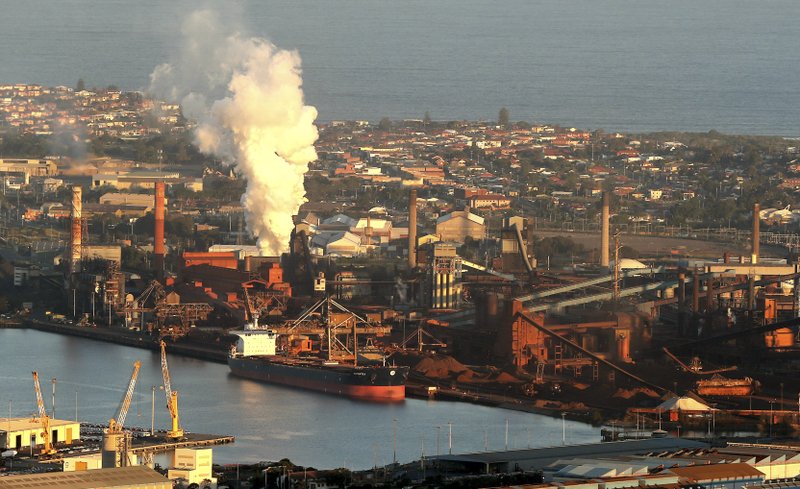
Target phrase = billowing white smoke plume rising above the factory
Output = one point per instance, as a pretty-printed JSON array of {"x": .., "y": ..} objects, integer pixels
[{"x": 246, "y": 97}]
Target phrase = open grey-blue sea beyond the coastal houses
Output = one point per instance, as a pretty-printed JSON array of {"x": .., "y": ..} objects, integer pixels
[{"x": 730, "y": 65}]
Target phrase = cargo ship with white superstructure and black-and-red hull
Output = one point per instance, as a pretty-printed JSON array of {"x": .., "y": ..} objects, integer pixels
[{"x": 255, "y": 356}]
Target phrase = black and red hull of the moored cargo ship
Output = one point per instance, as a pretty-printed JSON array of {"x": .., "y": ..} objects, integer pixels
[{"x": 378, "y": 384}]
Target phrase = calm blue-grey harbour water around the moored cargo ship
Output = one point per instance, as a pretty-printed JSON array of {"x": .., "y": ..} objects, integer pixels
[{"x": 269, "y": 422}]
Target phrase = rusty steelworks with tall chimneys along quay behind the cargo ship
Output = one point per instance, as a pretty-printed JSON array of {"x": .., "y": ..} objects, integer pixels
[{"x": 672, "y": 325}]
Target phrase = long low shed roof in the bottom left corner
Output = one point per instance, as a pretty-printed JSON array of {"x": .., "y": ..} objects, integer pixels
[{"x": 137, "y": 477}]
